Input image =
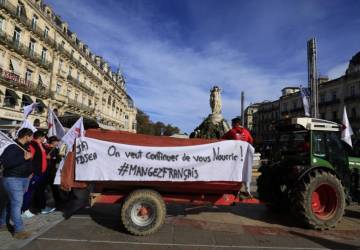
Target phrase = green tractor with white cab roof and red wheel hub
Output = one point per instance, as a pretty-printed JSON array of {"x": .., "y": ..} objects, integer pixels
[{"x": 311, "y": 172}]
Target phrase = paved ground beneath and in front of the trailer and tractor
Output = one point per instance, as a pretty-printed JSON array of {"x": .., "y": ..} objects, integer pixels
[{"x": 238, "y": 227}]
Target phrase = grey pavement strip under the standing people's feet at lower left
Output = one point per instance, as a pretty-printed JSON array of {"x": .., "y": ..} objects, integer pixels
[{"x": 36, "y": 225}]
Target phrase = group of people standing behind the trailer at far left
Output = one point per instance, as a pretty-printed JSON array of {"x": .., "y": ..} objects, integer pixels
[{"x": 28, "y": 168}]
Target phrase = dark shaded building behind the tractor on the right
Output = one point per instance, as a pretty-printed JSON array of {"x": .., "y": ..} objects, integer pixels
[{"x": 333, "y": 95}]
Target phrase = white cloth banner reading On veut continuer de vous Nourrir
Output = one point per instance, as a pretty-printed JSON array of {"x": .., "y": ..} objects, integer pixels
[{"x": 98, "y": 160}]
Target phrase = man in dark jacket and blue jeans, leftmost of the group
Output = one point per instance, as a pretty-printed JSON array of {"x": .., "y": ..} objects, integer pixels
[{"x": 17, "y": 165}]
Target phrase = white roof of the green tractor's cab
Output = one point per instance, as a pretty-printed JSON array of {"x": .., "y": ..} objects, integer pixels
[{"x": 309, "y": 123}]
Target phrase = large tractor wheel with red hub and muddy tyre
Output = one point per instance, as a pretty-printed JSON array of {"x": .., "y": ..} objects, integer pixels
[{"x": 319, "y": 200}]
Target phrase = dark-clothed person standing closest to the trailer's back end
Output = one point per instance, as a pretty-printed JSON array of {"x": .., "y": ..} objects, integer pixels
[{"x": 54, "y": 158}]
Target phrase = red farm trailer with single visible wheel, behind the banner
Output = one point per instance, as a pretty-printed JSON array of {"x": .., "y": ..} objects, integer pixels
[{"x": 143, "y": 207}]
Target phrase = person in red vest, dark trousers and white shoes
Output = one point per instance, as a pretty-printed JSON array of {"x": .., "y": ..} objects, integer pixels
[{"x": 36, "y": 193}]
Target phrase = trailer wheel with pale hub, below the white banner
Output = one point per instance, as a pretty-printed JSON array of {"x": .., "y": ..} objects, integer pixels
[{"x": 143, "y": 212}]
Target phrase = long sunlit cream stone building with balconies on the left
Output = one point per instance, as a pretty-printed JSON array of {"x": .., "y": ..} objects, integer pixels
[{"x": 42, "y": 61}]
